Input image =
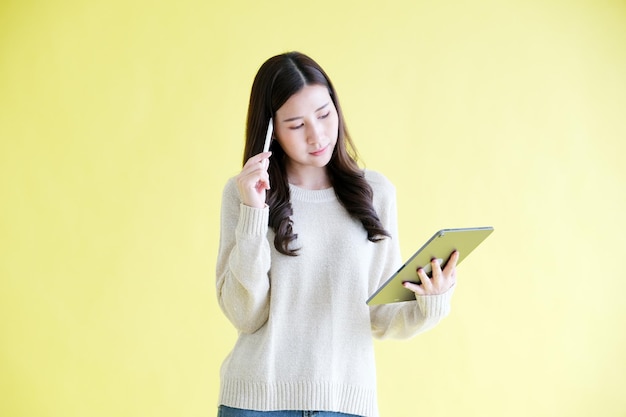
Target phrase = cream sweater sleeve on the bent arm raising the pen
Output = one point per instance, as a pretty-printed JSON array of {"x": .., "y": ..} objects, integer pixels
[{"x": 243, "y": 262}]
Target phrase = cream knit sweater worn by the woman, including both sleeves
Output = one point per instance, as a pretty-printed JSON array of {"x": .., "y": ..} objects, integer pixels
[{"x": 305, "y": 332}]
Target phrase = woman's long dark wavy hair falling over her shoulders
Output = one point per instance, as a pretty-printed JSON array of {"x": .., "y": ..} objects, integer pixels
[{"x": 278, "y": 79}]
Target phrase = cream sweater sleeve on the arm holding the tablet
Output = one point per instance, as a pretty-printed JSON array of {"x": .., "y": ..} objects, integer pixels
[{"x": 405, "y": 319}]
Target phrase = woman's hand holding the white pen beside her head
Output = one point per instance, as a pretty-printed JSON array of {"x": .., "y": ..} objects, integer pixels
[{"x": 254, "y": 180}]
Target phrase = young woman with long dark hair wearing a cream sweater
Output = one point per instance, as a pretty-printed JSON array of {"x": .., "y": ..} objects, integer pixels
[{"x": 306, "y": 237}]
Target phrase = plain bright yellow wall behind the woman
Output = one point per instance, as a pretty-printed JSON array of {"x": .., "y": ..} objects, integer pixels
[{"x": 121, "y": 120}]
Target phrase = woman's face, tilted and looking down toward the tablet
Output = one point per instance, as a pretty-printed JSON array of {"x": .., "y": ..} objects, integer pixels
[{"x": 306, "y": 127}]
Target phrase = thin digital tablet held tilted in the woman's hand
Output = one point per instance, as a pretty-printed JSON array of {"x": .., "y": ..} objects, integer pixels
[{"x": 440, "y": 247}]
